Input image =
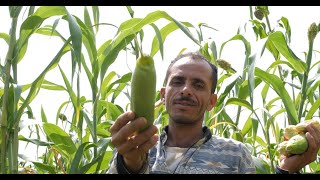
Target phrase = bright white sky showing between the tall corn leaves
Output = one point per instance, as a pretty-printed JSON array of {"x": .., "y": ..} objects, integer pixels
[{"x": 226, "y": 19}]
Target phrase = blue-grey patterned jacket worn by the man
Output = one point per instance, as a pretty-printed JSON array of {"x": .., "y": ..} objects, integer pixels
[{"x": 210, "y": 155}]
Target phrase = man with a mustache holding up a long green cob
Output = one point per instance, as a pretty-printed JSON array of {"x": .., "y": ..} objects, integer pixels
[{"x": 185, "y": 145}]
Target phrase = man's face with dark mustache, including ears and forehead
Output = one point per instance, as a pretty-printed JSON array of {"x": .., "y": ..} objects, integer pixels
[{"x": 187, "y": 94}]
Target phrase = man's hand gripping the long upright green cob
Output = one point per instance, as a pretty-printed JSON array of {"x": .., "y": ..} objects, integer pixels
[{"x": 133, "y": 146}]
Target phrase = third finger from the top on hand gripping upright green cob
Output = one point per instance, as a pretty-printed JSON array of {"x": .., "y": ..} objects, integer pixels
[{"x": 137, "y": 140}]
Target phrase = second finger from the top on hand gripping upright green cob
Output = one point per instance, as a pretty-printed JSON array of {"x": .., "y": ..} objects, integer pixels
[{"x": 128, "y": 130}]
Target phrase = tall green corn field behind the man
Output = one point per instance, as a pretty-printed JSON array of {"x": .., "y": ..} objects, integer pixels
[{"x": 276, "y": 86}]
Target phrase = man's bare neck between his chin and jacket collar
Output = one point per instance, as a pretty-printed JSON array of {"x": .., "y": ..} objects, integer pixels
[{"x": 183, "y": 136}]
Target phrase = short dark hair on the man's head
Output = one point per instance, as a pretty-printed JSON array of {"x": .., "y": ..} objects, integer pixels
[{"x": 194, "y": 56}]
